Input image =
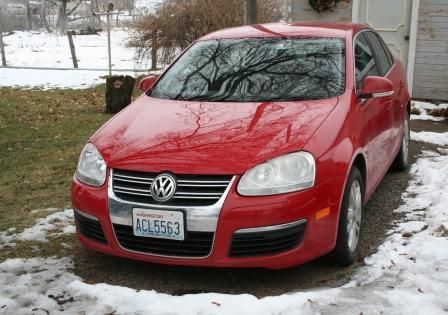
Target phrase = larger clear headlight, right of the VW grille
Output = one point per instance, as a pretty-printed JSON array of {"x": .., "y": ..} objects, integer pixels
[{"x": 290, "y": 172}]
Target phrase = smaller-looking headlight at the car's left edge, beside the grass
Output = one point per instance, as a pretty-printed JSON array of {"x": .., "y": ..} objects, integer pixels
[{"x": 91, "y": 166}]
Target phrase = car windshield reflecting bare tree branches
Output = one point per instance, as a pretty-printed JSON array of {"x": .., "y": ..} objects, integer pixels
[{"x": 256, "y": 70}]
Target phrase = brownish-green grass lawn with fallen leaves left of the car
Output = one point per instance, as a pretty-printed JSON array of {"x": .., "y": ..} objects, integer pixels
[{"x": 41, "y": 135}]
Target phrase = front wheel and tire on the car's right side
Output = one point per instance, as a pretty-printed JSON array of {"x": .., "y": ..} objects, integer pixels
[{"x": 350, "y": 220}]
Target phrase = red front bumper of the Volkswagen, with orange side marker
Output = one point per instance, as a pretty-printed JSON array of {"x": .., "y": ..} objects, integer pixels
[{"x": 307, "y": 219}]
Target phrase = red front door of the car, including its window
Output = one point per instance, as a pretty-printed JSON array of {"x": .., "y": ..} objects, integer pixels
[{"x": 376, "y": 115}]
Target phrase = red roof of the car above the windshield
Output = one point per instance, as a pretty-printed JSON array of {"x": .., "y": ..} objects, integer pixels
[{"x": 317, "y": 29}]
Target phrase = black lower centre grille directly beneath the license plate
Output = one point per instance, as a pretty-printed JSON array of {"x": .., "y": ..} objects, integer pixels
[{"x": 196, "y": 244}]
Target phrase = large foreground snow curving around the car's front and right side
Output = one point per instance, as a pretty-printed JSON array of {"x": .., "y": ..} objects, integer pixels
[{"x": 407, "y": 275}]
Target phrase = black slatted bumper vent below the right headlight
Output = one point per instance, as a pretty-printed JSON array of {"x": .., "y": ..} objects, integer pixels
[{"x": 266, "y": 243}]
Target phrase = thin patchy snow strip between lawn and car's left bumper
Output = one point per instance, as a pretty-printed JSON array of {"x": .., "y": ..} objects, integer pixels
[{"x": 53, "y": 225}]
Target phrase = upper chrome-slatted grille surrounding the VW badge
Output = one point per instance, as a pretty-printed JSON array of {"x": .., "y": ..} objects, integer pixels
[{"x": 192, "y": 190}]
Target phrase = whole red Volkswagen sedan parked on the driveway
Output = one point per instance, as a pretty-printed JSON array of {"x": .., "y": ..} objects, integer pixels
[{"x": 257, "y": 147}]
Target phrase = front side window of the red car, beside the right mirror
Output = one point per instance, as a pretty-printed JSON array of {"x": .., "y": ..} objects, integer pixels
[{"x": 364, "y": 61}]
